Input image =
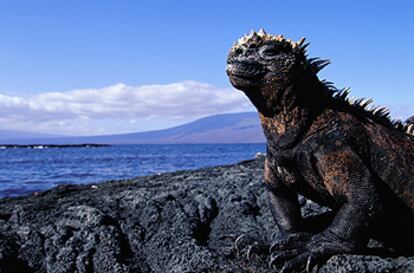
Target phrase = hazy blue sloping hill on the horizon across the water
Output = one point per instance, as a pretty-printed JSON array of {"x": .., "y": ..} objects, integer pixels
[{"x": 225, "y": 128}]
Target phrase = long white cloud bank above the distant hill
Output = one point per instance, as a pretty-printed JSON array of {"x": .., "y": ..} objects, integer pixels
[{"x": 117, "y": 108}]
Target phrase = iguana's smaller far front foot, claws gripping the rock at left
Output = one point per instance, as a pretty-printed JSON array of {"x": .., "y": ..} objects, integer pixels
[{"x": 250, "y": 246}]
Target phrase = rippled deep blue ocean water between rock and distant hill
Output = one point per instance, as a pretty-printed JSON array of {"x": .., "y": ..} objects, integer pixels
[{"x": 23, "y": 171}]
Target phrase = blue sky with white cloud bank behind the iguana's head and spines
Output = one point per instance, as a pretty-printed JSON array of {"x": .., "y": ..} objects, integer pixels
[{"x": 79, "y": 67}]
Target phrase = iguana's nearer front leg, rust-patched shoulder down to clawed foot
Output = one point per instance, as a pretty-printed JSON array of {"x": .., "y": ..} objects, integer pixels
[{"x": 346, "y": 178}]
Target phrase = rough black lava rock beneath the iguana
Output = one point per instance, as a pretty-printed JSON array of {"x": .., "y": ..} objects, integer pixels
[{"x": 185, "y": 221}]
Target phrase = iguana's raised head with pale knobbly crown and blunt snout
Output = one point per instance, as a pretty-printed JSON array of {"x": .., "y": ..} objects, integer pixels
[{"x": 263, "y": 66}]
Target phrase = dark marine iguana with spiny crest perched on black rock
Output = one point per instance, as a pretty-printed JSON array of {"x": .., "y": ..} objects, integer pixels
[{"x": 338, "y": 152}]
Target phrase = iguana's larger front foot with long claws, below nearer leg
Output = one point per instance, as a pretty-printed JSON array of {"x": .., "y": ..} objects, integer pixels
[{"x": 302, "y": 251}]
